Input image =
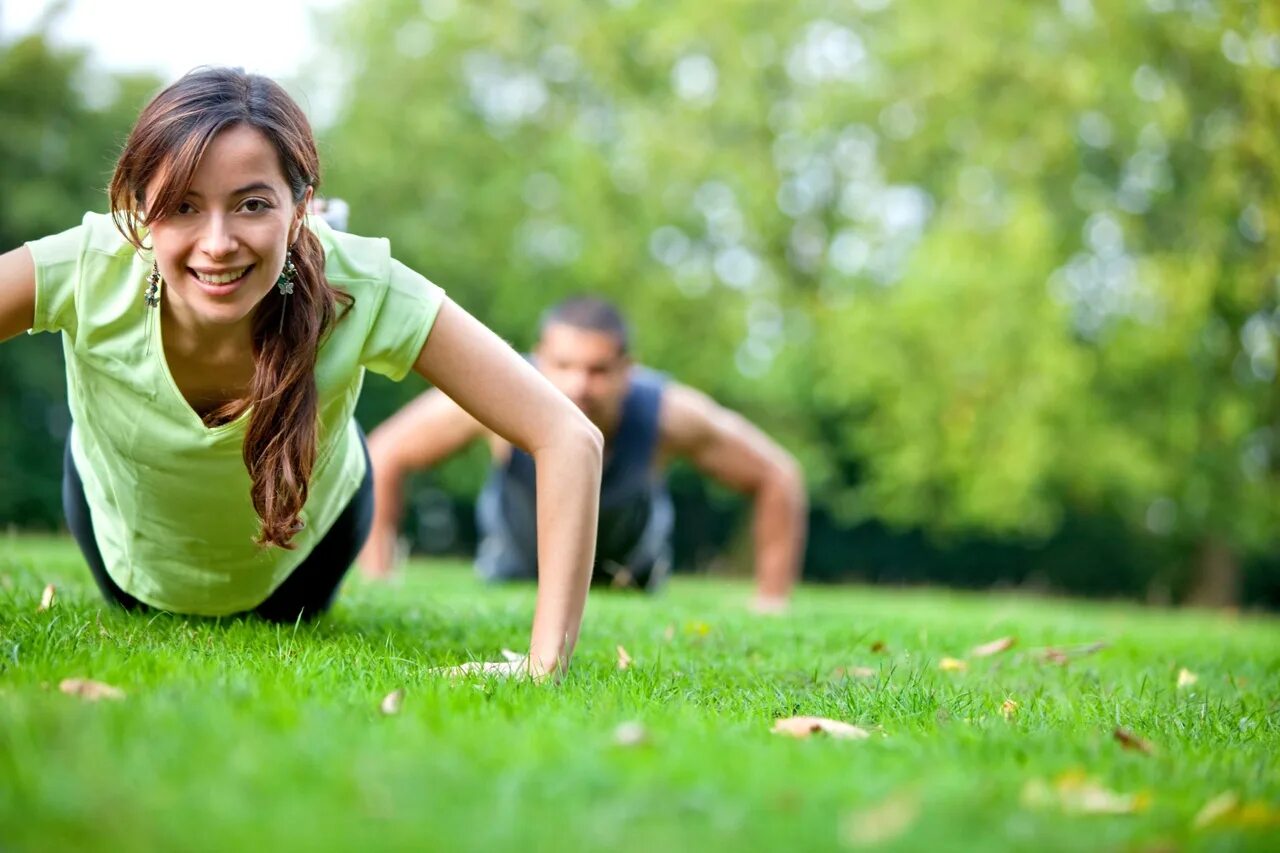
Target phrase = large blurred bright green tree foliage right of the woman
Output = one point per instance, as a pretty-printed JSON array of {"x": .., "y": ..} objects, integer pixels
[{"x": 981, "y": 266}]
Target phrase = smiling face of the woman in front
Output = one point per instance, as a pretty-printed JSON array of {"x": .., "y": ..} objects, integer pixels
[{"x": 223, "y": 249}]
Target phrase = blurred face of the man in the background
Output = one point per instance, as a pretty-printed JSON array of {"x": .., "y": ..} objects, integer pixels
[{"x": 588, "y": 367}]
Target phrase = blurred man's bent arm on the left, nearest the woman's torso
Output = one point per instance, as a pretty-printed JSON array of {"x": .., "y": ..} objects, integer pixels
[{"x": 426, "y": 432}]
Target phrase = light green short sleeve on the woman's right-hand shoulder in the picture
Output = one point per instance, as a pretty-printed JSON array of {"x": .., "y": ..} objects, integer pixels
[{"x": 403, "y": 322}]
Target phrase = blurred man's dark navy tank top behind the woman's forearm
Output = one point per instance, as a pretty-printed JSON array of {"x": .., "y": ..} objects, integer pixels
[{"x": 629, "y": 485}]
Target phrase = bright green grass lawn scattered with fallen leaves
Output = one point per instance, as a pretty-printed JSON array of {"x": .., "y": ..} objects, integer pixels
[{"x": 245, "y": 735}]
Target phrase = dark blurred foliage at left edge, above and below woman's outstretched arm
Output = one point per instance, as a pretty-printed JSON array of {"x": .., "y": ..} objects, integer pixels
[{"x": 63, "y": 126}]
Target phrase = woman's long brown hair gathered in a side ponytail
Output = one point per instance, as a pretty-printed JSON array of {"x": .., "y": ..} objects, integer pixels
[{"x": 166, "y": 147}]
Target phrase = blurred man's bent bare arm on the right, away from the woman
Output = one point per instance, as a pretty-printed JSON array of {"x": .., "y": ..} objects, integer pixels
[{"x": 732, "y": 450}]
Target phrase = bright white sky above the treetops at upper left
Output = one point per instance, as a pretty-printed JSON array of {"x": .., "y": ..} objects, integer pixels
[{"x": 272, "y": 38}]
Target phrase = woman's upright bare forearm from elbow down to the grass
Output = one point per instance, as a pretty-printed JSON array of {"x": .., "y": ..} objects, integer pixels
[{"x": 569, "y": 498}]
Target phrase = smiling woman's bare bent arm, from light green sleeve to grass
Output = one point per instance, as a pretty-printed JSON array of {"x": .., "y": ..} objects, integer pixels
[{"x": 502, "y": 391}]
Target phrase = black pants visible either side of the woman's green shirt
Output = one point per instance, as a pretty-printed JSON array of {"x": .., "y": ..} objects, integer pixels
[{"x": 308, "y": 592}]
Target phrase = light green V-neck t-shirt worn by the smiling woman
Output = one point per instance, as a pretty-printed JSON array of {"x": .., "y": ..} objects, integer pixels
[{"x": 170, "y": 498}]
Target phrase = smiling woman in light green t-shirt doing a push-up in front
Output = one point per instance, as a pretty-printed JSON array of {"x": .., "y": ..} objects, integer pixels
[{"x": 216, "y": 341}]
